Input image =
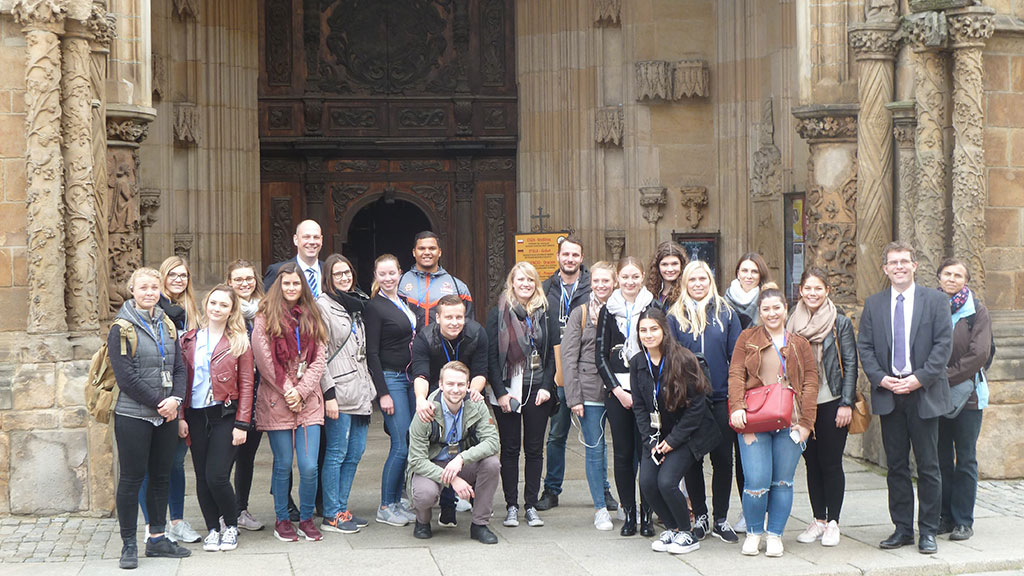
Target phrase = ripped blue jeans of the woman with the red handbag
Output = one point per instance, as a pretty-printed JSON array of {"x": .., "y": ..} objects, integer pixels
[{"x": 770, "y": 465}]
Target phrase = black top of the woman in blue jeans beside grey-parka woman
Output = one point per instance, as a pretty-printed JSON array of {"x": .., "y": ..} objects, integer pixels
[{"x": 389, "y": 337}]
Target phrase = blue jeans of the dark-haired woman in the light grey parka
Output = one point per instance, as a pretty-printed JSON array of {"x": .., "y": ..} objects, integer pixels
[{"x": 347, "y": 440}]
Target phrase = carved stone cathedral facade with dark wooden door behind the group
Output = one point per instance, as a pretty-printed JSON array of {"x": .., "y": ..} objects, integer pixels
[{"x": 814, "y": 132}]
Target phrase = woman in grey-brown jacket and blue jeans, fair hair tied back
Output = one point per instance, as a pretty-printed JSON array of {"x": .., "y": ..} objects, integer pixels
[{"x": 585, "y": 392}]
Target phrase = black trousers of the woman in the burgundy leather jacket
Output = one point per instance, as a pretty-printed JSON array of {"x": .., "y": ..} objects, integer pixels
[{"x": 214, "y": 457}]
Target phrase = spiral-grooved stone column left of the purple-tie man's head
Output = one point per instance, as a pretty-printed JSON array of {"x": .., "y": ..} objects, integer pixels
[{"x": 875, "y": 50}]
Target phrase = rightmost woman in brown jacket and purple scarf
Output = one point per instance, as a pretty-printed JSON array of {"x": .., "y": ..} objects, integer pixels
[{"x": 959, "y": 435}]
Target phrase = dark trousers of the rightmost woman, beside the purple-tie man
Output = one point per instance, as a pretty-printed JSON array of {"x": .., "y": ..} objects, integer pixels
[{"x": 959, "y": 466}]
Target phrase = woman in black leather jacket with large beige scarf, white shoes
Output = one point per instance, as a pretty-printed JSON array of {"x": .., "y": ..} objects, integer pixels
[{"x": 835, "y": 346}]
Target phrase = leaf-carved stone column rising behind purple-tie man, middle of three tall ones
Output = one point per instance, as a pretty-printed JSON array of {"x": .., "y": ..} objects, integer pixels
[{"x": 927, "y": 33}]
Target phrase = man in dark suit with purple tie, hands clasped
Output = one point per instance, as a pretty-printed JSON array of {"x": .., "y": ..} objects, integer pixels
[{"x": 906, "y": 341}]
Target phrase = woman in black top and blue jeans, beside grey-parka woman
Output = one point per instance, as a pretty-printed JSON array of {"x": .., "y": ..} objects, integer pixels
[{"x": 391, "y": 327}]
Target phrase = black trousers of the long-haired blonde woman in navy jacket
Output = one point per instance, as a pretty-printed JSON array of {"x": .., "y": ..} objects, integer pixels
[{"x": 721, "y": 462}]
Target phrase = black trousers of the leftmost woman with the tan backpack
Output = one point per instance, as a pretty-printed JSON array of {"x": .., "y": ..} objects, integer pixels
[{"x": 144, "y": 448}]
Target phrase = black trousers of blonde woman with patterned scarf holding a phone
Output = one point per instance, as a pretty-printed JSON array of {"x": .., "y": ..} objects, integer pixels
[{"x": 523, "y": 432}]
